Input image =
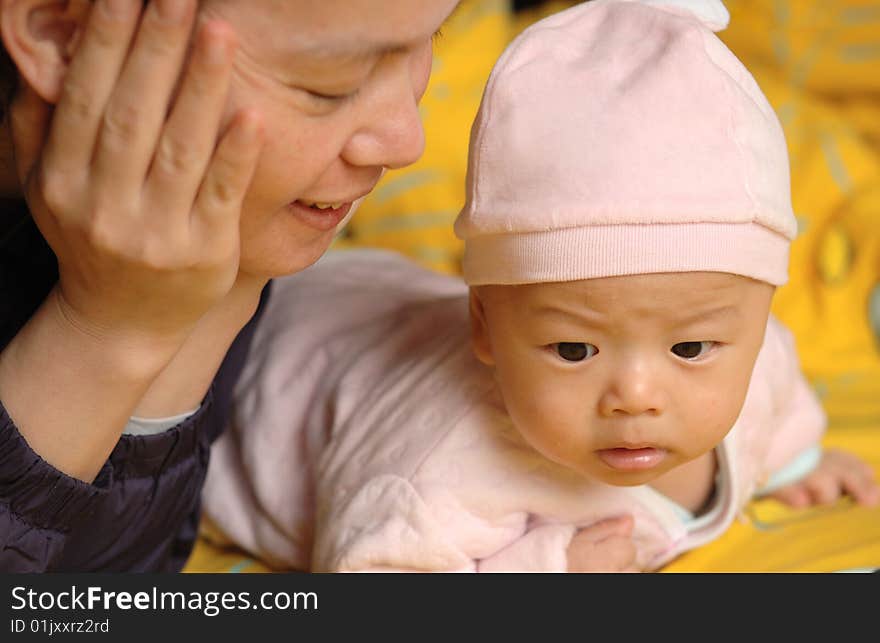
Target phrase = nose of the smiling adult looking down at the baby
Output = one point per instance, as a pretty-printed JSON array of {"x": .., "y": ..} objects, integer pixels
[{"x": 391, "y": 134}]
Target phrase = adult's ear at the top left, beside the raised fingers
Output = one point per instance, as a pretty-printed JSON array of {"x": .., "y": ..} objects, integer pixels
[{"x": 40, "y": 37}]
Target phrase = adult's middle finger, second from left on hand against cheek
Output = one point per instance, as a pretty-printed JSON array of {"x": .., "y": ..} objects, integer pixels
[{"x": 137, "y": 110}]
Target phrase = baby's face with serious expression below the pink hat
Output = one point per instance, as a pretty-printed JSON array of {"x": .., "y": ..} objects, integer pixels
[{"x": 623, "y": 378}]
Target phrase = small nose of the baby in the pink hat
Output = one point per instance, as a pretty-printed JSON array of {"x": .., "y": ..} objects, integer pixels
[{"x": 633, "y": 389}]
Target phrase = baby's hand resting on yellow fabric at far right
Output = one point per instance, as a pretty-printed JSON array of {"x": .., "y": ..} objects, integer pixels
[{"x": 838, "y": 473}]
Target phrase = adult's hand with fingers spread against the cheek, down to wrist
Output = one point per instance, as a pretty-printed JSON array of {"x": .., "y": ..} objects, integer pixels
[{"x": 129, "y": 185}]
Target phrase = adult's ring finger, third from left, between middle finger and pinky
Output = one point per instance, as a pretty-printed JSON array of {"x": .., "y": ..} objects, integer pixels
[{"x": 190, "y": 136}]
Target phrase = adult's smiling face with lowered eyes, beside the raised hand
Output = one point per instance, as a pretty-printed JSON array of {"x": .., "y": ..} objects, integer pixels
[{"x": 337, "y": 83}]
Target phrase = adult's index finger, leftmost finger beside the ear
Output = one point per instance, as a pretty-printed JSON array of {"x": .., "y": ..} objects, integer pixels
[{"x": 88, "y": 84}]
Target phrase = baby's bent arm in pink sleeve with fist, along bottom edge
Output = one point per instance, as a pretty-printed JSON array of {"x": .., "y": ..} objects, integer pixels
[{"x": 387, "y": 526}]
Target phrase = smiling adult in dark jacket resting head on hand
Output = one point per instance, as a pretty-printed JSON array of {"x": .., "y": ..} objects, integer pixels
[{"x": 170, "y": 198}]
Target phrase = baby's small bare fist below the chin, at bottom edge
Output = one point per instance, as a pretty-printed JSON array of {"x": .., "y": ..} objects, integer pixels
[{"x": 606, "y": 546}]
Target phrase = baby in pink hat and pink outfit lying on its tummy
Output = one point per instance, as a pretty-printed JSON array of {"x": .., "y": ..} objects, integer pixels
[{"x": 628, "y": 219}]
